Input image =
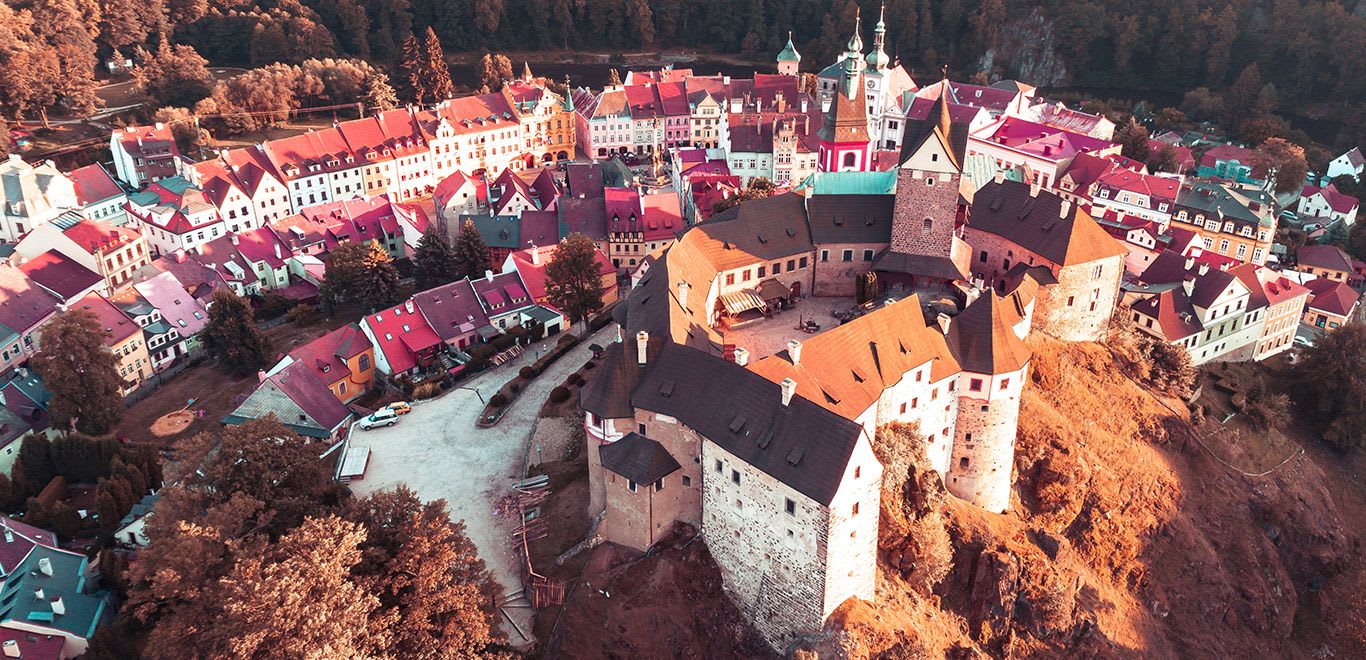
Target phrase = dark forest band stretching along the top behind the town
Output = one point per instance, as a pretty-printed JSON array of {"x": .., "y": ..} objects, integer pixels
[{"x": 1308, "y": 53}]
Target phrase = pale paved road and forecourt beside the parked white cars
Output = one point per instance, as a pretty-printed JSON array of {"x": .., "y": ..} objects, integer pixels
[{"x": 441, "y": 454}]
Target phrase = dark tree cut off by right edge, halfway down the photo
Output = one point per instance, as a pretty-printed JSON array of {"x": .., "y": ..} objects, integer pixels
[{"x": 1330, "y": 386}]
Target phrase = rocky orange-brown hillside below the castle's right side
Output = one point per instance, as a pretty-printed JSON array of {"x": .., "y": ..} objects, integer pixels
[{"x": 1129, "y": 538}]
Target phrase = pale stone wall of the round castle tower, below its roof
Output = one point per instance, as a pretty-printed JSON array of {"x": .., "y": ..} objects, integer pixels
[{"x": 984, "y": 439}]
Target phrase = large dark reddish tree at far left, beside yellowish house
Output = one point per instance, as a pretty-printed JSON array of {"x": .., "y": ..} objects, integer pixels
[{"x": 81, "y": 374}]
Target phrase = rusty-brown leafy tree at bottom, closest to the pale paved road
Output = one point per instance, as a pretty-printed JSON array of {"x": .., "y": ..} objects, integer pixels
[{"x": 435, "y": 592}]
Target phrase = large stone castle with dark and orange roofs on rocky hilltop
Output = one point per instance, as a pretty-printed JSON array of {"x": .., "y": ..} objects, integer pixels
[{"x": 771, "y": 456}]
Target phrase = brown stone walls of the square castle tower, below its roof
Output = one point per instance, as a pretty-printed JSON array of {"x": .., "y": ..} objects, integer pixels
[{"x": 915, "y": 203}]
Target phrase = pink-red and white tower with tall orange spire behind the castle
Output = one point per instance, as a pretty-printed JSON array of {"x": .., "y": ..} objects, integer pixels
[{"x": 846, "y": 146}]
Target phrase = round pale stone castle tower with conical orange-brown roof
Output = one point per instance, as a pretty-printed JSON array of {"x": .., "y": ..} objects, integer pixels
[{"x": 988, "y": 340}]
